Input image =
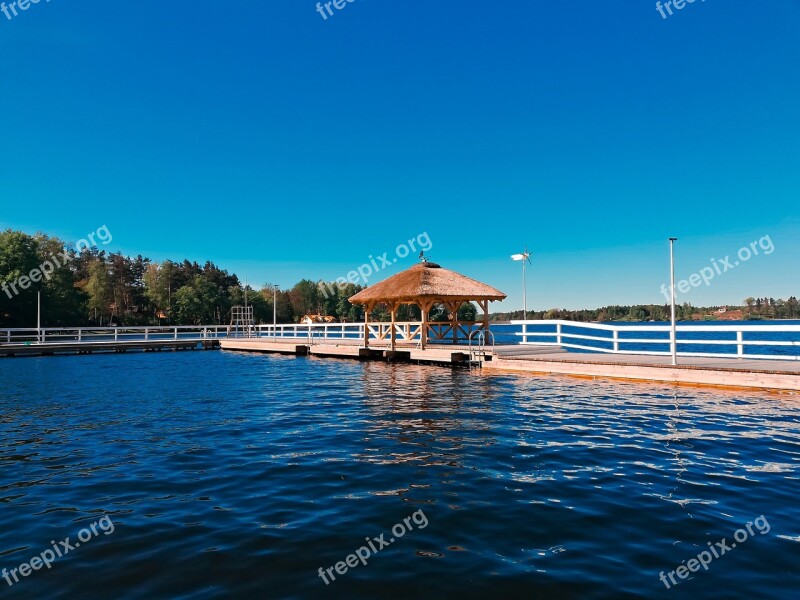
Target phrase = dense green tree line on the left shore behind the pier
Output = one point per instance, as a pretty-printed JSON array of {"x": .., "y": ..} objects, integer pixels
[{"x": 96, "y": 288}]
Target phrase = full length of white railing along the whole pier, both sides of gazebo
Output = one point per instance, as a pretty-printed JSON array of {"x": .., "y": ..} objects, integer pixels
[{"x": 742, "y": 340}]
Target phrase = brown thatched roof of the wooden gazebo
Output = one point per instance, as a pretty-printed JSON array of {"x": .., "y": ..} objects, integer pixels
[{"x": 427, "y": 281}]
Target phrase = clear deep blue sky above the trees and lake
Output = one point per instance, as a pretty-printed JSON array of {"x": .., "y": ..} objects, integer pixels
[{"x": 281, "y": 145}]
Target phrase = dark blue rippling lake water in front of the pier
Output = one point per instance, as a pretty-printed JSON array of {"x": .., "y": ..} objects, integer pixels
[{"x": 234, "y": 475}]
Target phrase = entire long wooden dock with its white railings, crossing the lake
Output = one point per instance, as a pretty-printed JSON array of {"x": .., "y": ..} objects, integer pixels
[{"x": 734, "y": 371}]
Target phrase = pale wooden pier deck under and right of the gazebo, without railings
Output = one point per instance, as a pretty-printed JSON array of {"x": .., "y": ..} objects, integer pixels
[{"x": 733, "y": 373}]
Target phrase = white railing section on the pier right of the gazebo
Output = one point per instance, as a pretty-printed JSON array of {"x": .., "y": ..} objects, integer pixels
[{"x": 623, "y": 339}]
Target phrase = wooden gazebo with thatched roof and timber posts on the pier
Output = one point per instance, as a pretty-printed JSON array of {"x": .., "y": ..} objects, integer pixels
[{"x": 425, "y": 285}]
